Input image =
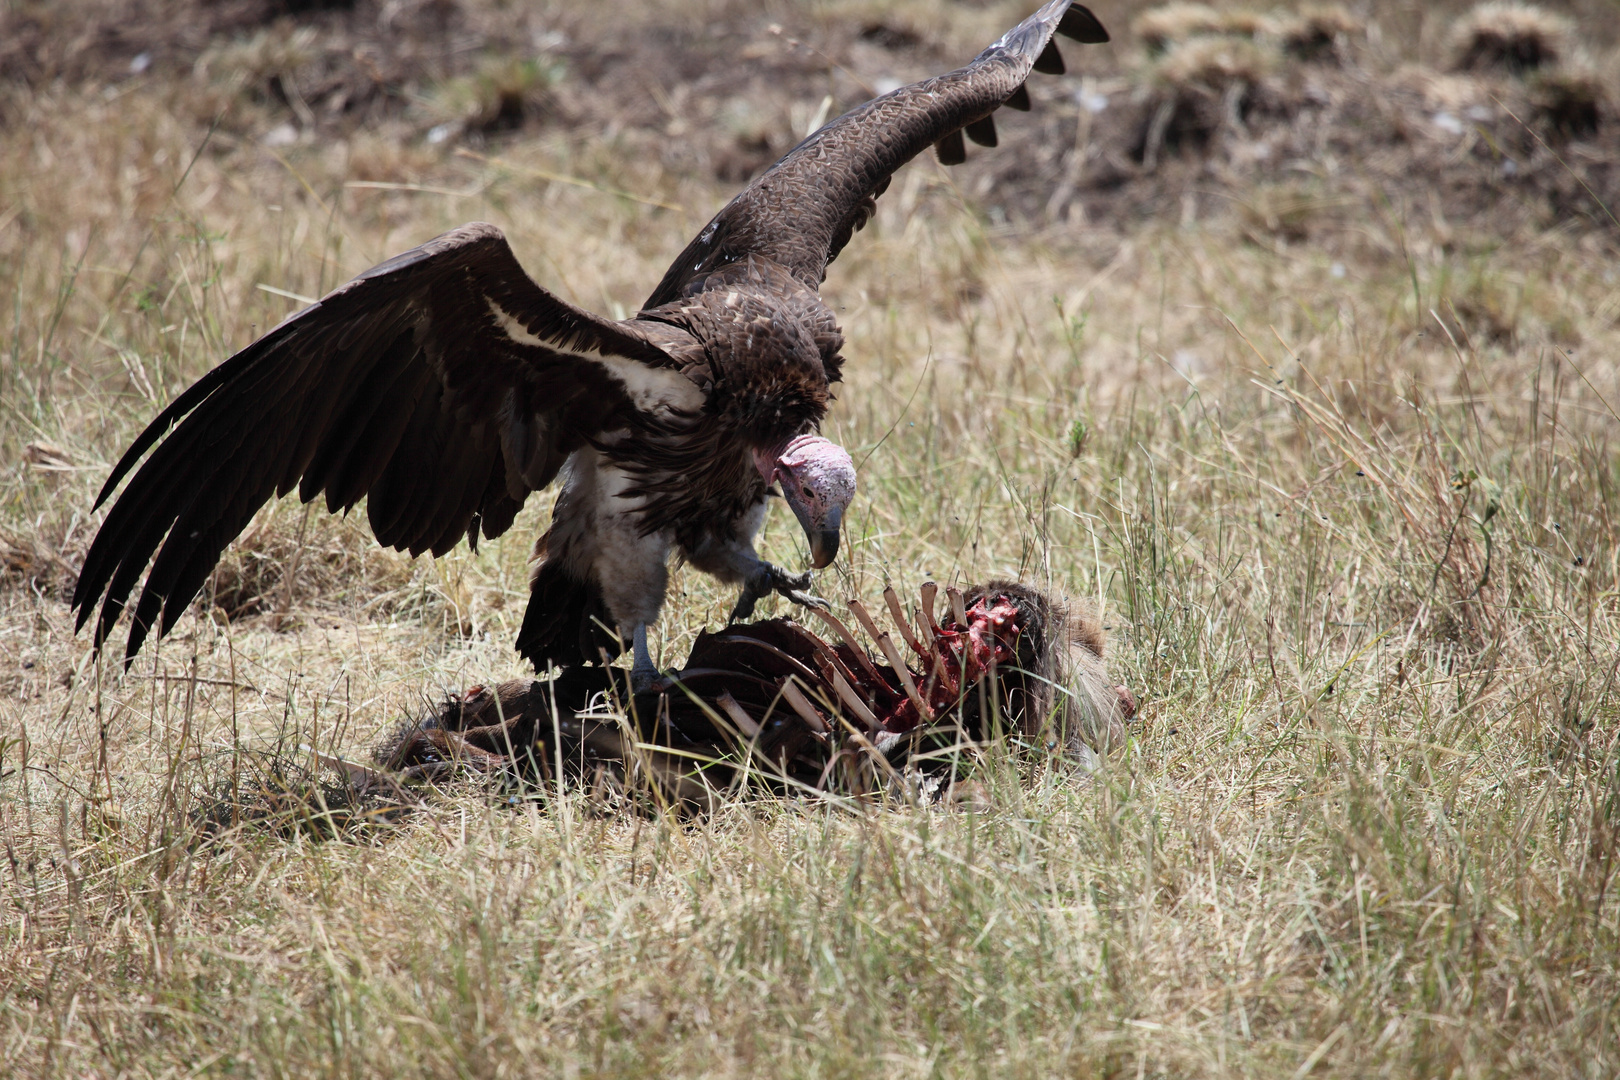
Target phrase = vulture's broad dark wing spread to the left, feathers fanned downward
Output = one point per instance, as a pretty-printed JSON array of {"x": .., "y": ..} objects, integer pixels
[{"x": 443, "y": 386}]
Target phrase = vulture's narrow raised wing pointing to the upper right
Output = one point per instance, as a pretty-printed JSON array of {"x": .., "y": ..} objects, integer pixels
[{"x": 808, "y": 206}]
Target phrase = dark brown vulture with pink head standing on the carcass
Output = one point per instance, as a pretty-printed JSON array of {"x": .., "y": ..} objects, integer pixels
[{"x": 445, "y": 386}]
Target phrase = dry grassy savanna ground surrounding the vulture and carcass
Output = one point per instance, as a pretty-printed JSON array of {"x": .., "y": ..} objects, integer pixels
[{"x": 1300, "y": 364}]
